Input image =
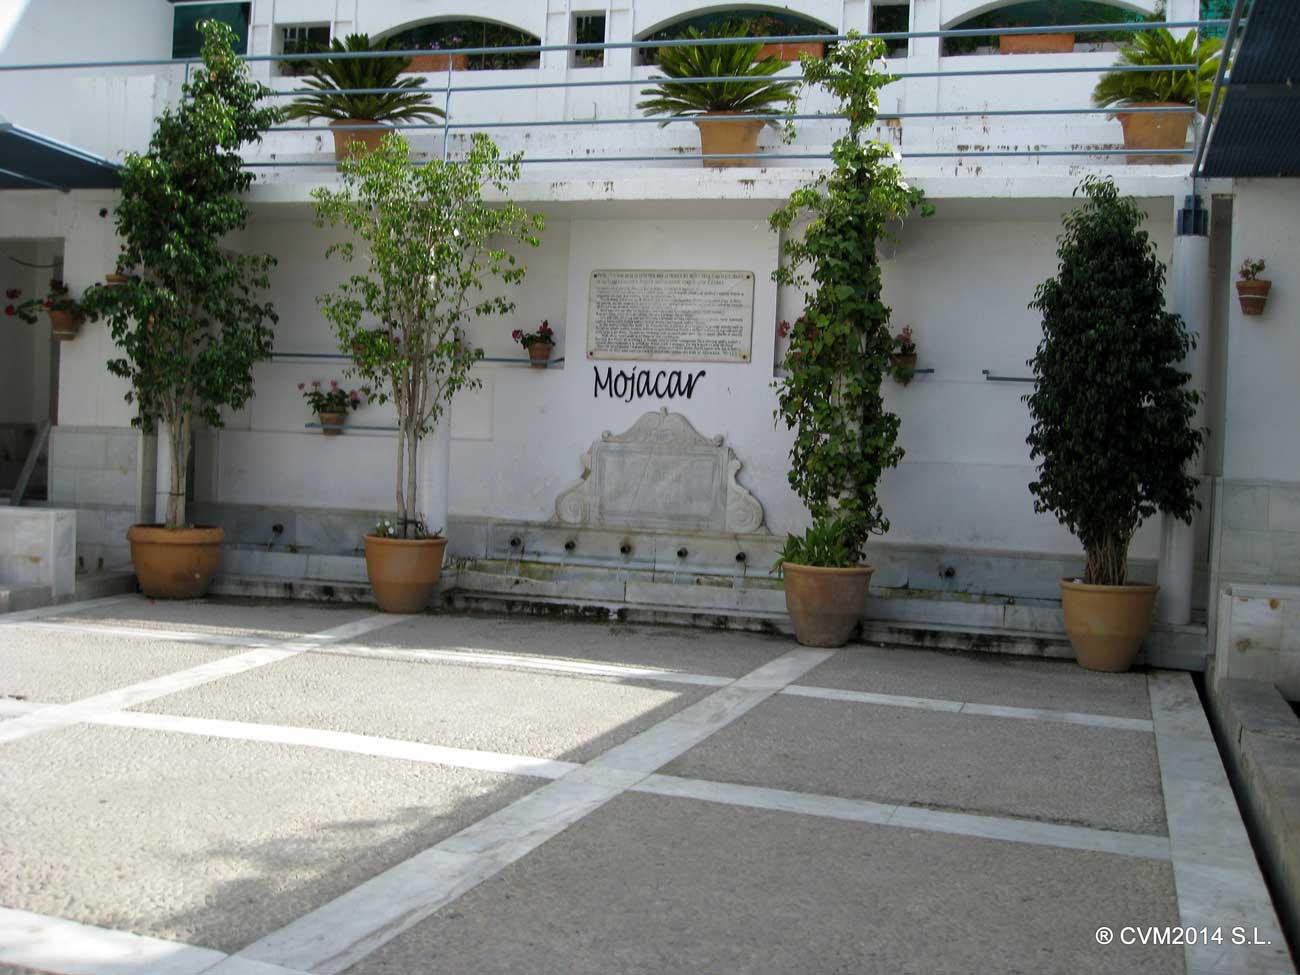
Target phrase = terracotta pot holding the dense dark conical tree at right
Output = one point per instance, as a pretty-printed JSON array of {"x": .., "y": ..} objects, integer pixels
[{"x": 1107, "y": 625}]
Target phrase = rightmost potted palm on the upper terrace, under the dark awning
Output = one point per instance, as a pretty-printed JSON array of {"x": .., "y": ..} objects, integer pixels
[{"x": 1156, "y": 89}]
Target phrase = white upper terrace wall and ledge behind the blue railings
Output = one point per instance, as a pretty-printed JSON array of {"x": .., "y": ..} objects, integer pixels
[{"x": 957, "y": 109}]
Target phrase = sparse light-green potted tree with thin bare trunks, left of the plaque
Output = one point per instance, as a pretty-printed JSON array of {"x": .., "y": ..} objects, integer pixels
[{"x": 430, "y": 241}]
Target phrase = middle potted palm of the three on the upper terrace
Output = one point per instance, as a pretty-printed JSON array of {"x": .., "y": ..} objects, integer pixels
[{"x": 721, "y": 109}]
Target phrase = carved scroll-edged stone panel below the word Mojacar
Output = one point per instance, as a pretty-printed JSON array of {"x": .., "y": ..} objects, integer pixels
[{"x": 661, "y": 475}]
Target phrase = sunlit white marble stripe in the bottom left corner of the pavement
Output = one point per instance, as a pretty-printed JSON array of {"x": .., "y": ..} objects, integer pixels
[{"x": 71, "y": 948}]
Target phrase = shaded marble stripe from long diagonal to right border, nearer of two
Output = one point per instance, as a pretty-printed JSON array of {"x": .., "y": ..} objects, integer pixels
[{"x": 1028, "y": 831}]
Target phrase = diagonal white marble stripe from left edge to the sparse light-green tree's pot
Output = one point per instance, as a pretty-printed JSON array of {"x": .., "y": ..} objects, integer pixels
[{"x": 122, "y": 699}]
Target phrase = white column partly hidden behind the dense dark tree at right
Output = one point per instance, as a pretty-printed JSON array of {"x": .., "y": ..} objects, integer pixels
[{"x": 1193, "y": 298}]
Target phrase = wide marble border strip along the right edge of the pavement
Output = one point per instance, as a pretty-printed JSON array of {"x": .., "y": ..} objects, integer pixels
[{"x": 1216, "y": 877}]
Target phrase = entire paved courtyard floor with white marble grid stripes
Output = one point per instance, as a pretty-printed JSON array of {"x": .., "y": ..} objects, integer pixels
[{"x": 250, "y": 790}]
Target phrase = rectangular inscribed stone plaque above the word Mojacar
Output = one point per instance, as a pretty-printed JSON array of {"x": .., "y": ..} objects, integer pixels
[{"x": 690, "y": 317}]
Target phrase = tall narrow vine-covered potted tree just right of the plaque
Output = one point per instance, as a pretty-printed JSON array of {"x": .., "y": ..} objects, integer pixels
[{"x": 840, "y": 353}]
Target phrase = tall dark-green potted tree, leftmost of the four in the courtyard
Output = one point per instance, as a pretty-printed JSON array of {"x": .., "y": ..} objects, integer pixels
[{"x": 189, "y": 324}]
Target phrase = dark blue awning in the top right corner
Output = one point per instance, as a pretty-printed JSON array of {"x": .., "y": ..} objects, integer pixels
[{"x": 1259, "y": 127}]
